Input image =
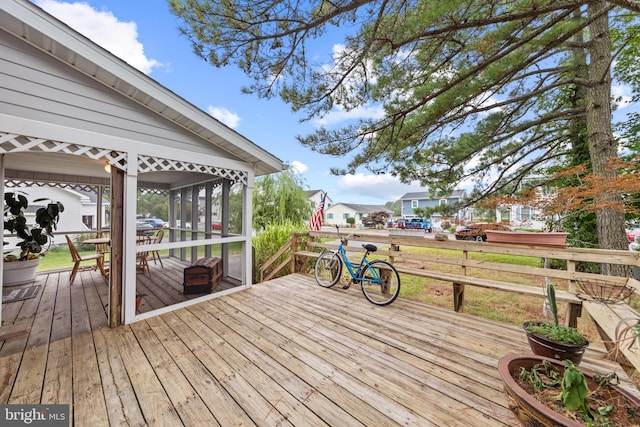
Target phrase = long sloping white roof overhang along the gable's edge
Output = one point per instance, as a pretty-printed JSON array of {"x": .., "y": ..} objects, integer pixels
[{"x": 28, "y": 22}]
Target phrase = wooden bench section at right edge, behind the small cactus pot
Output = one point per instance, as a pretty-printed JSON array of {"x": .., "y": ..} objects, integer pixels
[{"x": 607, "y": 317}]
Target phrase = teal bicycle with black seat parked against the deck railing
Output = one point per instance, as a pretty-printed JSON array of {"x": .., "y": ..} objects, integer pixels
[{"x": 379, "y": 280}]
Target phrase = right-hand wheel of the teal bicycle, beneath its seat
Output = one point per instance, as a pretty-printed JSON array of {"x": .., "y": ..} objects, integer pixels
[{"x": 382, "y": 285}]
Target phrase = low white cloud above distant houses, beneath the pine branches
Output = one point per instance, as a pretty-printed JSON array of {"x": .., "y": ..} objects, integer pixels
[{"x": 372, "y": 189}]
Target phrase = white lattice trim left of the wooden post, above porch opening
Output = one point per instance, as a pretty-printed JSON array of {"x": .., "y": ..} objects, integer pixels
[{"x": 11, "y": 143}]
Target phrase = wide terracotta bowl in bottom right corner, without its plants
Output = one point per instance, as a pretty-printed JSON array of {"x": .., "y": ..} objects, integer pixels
[{"x": 528, "y": 409}]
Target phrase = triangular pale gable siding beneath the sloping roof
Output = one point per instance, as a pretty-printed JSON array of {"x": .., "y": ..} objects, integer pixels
[{"x": 72, "y": 99}]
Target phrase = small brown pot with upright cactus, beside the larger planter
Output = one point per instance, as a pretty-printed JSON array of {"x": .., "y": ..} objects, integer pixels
[{"x": 554, "y": 340}]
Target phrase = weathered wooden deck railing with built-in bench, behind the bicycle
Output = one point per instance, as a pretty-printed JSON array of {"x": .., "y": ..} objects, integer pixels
[{"x": 461, "y": 266}]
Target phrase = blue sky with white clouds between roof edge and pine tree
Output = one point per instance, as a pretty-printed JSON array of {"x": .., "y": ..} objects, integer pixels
[{"x": 144, "y": 33}]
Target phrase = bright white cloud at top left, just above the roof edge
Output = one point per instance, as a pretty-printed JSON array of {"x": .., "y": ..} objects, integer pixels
[{"x": 103, "y": 28}]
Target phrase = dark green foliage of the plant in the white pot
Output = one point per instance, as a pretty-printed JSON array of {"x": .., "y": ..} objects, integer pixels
[{"x": 35, "y": 239}]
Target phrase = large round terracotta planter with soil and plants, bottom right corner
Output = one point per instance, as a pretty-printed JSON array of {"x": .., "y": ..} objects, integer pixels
[{"x": 546, "y": 392}]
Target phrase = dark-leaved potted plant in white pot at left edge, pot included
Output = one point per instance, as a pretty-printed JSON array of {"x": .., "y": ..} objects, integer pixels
[{"x": 34, "y": 240}]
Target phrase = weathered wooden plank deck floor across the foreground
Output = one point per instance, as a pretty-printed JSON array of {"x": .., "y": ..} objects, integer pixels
[{"x": 285, "y": 352}]
